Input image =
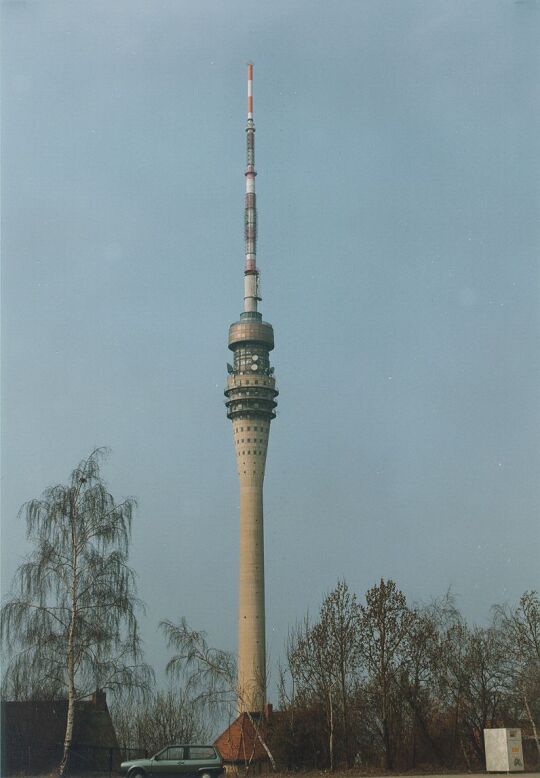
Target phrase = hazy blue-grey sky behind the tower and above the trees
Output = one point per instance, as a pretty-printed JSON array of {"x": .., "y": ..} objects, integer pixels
[{"x": 397, "y": 148}]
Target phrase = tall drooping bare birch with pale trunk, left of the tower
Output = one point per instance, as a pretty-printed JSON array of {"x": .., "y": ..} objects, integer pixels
[{"x": 70, "y": 620}]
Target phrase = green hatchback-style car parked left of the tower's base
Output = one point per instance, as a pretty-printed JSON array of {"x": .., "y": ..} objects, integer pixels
[{"x": 178, "y": 761}]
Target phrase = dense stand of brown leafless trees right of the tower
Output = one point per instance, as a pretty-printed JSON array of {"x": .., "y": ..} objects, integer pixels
[{"x": 378, "y": 682}]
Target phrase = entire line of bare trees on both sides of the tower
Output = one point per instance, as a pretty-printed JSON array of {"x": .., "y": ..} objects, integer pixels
[{"x": 370, "y": 681}]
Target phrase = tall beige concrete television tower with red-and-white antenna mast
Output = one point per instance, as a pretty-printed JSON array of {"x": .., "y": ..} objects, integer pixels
[{"x": 251, "y": 391}]
